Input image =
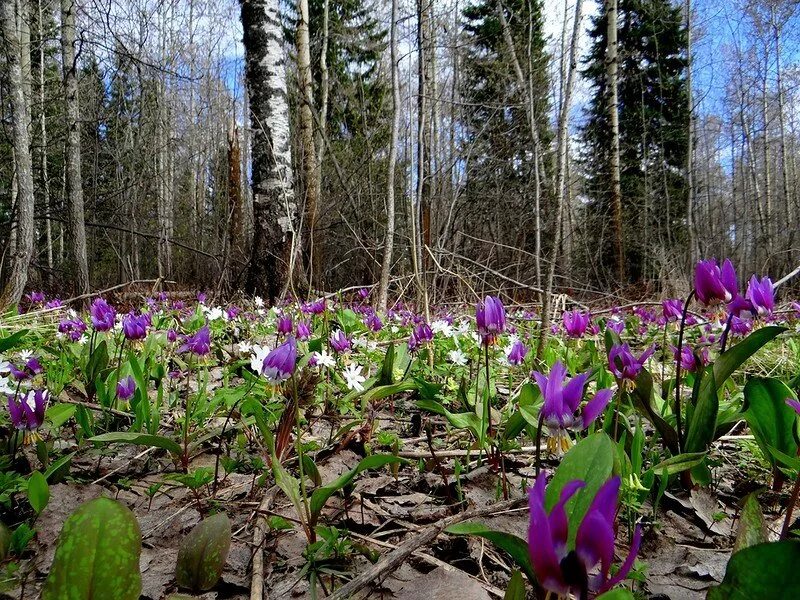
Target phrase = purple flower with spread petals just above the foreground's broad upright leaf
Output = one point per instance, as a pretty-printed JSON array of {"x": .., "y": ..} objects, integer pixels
[{"x": 561, "y": 409}]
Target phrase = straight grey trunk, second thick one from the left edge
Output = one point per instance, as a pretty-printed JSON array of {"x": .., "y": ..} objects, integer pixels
[{"x": 72, "y": 160}]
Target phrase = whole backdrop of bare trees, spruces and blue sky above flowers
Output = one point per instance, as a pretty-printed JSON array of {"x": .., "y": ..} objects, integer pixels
[{"x": 436, "y": 149}]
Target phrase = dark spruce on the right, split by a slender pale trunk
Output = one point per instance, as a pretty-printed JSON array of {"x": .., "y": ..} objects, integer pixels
[{"x": 653, "y": 117}]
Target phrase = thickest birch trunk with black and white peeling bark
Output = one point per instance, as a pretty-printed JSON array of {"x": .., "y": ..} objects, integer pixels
[{"x": 274, "y": 208}]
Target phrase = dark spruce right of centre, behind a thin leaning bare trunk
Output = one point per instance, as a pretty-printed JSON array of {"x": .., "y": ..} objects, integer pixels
[{"x": 497, "y": 134}]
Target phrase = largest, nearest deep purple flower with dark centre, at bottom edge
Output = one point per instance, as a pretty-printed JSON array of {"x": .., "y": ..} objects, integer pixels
[{"x": 564, "y": 569}]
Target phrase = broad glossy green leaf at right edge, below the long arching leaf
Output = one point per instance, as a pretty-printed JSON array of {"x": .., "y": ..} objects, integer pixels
[{"x": 771, "y": 420}]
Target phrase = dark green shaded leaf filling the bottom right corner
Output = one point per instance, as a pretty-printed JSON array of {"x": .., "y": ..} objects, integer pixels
[{"x": 761, "y": 571}]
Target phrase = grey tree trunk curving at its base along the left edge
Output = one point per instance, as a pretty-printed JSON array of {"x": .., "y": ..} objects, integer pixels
[{"x": 21, "y": 142}]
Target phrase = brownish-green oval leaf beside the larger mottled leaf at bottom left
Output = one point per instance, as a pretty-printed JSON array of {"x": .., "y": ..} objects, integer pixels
[{"x": 202, "y": 555}]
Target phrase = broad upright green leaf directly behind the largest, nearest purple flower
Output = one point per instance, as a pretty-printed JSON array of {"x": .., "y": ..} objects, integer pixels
[{"x": 591, "y": 460}]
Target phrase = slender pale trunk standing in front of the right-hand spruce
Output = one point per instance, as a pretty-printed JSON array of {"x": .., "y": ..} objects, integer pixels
[{"x": 613, "y": 109}]
